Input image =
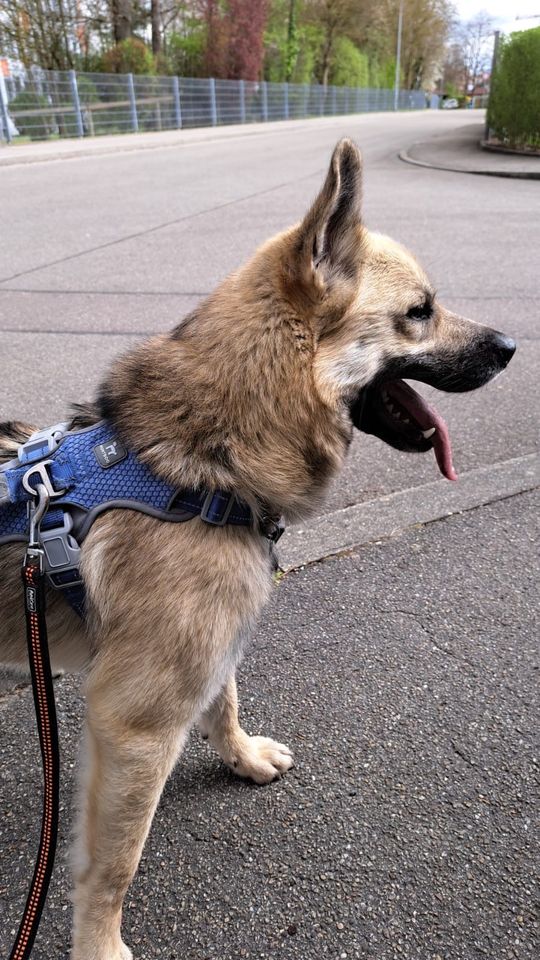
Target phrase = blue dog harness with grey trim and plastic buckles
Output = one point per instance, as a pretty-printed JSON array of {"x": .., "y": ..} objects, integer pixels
[{"x": 86, "y": 472}]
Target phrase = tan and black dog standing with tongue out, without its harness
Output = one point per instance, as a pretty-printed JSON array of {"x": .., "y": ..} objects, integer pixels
[{"x": 256, "y": 392}]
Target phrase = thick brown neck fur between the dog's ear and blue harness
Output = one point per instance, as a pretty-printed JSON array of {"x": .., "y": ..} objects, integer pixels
[{"x": 228, "y": 399}]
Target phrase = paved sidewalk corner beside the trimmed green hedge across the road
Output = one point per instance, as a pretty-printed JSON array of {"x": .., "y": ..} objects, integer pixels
[{"x": 459, "y": 150}]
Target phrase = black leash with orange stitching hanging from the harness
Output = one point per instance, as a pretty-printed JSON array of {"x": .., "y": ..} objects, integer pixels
[{"x": 43, "y": 690}]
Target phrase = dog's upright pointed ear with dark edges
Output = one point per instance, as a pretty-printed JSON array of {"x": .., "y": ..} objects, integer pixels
[{"x": 329, "y": 233}]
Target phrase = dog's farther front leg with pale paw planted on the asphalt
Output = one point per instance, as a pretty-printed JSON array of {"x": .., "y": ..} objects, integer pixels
[{"x": 258, "y": 758}]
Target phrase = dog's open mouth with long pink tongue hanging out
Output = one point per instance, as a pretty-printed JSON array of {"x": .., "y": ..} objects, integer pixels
[{"x": 397, "y": 414}]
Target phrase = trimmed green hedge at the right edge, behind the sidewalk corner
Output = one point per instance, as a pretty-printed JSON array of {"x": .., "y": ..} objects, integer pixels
[{"x": 514, "y": 103}]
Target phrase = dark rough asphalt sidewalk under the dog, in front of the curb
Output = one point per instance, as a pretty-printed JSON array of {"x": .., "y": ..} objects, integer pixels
[{"x": 403, "y": 676}]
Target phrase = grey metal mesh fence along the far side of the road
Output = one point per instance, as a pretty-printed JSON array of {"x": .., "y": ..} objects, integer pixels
[{"x": 41, "y": 105}]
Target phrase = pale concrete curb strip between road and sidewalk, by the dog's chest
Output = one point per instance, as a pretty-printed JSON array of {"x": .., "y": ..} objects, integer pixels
[{"x": 379, "y": 519}]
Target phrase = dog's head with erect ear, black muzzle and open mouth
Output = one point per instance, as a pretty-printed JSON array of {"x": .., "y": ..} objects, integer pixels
[{"x": 378, "y": 321}]
